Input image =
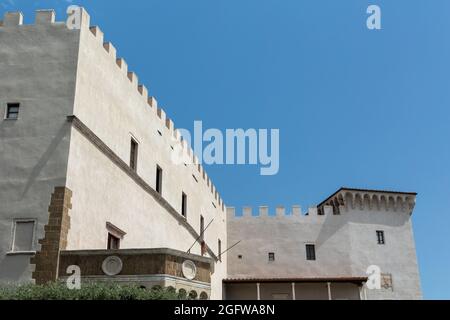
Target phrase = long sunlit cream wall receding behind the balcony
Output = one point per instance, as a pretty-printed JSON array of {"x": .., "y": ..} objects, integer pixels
[{"x": 110, "y": 105}]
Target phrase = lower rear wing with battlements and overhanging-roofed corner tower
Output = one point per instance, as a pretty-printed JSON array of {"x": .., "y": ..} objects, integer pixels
[{"x": 342, "y": 228}]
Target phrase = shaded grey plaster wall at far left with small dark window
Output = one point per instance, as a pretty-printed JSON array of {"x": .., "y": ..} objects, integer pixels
[{"x": 37, "y": 68}]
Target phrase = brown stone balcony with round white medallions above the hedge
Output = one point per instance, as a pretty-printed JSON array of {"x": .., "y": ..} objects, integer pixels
[{"x": 143, "y": 267}]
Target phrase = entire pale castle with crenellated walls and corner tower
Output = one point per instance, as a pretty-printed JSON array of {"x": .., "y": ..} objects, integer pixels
[{"x": 87, "y": 180}]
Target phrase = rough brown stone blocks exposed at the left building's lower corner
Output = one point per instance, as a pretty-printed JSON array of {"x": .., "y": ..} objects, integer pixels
[{"x": 55, "y": 238}]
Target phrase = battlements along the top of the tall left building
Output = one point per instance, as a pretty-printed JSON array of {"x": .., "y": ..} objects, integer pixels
[{"x": 177, "y": 144}]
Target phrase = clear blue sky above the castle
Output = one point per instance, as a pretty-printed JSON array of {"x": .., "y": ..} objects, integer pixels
[{"x": 354, "y": 107}]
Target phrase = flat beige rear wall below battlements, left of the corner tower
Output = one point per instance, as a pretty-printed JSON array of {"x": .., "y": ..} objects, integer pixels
[{"x": 287, "y": 236}]
